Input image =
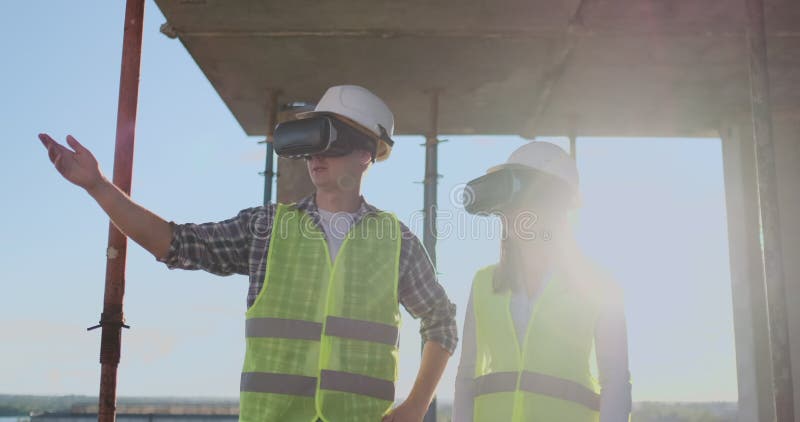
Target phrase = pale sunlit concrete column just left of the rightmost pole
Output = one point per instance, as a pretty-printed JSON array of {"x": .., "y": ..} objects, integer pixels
[{"x": 753, "y": 360}]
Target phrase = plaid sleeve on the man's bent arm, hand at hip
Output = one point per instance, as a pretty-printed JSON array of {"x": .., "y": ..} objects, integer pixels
[{"x": 423, "y": 296}]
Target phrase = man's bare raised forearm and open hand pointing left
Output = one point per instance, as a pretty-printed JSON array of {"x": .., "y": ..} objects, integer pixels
[{"x": 80, "y": 167}]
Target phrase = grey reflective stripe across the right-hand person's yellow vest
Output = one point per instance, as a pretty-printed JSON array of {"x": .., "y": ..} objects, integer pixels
[{"x": 505, "y": 382}]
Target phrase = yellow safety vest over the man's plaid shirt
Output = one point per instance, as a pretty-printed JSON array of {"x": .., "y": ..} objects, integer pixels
[{"x": 322, "y": 336}]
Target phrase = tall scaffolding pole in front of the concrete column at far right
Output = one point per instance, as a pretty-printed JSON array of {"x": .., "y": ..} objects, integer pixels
[{"x": 770, "y": 220}]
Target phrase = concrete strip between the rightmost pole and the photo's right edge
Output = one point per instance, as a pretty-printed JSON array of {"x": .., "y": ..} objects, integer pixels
[{"x": 786, "y": 140}]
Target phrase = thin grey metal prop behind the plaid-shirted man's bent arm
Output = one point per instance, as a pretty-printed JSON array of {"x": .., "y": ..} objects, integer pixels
[{"x": 429, "y": 200}]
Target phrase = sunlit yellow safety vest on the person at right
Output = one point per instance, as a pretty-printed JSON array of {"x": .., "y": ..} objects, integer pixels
[{"x": 549, "y": 378}]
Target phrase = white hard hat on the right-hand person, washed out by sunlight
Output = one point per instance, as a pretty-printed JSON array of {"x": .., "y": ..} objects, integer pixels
[{"x": 545, "y": 157}]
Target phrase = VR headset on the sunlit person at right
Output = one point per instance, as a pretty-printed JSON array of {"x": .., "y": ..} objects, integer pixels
[{"x": 497, "y": 190}]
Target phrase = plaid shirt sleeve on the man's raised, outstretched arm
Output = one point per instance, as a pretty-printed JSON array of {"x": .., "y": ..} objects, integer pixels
[{"x": 221, "y": 248}]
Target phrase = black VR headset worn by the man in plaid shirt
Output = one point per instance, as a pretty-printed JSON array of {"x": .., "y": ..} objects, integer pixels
[{"x": 323, "y": 135}]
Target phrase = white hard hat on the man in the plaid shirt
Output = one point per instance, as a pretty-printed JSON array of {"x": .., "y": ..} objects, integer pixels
[{"x": 362, "y": 109}]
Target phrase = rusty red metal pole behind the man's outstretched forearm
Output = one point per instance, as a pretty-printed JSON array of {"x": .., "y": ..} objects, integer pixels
[{"x": 112, "y": 319}]
